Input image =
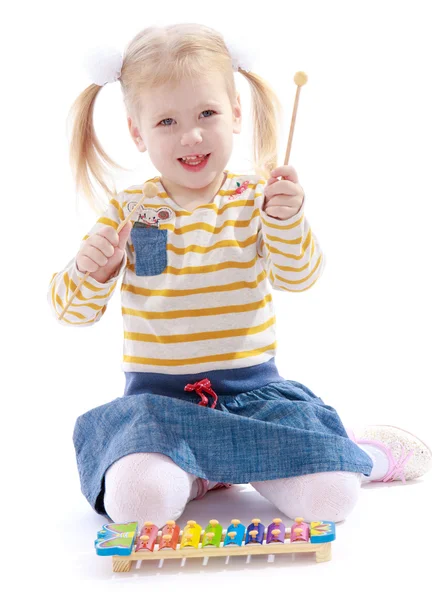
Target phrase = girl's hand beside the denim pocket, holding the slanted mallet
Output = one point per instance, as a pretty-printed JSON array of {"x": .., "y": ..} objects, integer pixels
[{"x": 102, "y": 253}]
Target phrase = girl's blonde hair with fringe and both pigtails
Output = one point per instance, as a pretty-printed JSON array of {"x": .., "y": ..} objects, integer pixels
[{"x": 157, "y": 56}]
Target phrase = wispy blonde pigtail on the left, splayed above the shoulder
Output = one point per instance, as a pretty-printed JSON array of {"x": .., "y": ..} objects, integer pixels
[{"x": 86, "y": 154}]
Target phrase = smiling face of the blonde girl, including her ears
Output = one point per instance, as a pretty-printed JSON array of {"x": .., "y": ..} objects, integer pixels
[{"x": 191, "y": 118}]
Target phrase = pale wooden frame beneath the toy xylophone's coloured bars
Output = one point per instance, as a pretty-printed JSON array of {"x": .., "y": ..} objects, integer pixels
[{"x": 122, "y": 564}]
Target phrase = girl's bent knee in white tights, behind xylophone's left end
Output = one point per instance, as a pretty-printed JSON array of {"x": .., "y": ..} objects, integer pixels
[{"x": 147, "y": 486}]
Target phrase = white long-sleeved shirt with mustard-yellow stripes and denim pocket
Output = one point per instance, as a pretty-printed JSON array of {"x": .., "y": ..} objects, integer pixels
[{"x": 196, "y": 286}]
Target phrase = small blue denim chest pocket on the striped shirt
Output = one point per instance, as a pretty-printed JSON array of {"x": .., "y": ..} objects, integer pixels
[{"x": 150, "y": 244}]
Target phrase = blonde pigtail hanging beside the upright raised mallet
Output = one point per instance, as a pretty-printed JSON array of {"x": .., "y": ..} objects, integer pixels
[{"x": 266, "y": 116}]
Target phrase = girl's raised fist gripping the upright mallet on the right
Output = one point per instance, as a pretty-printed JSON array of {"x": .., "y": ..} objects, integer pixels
[{"x": 283, "y": 198}]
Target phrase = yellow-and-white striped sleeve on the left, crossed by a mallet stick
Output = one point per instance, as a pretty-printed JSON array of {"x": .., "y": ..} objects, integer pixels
[{"x": 90, "y": 303}]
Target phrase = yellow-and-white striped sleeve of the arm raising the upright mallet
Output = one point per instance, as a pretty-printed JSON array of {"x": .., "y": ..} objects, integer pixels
[{"x": 292, "y": 255}]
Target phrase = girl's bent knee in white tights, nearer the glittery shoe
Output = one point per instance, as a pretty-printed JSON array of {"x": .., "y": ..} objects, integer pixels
[{"x": 329, "y": 496}]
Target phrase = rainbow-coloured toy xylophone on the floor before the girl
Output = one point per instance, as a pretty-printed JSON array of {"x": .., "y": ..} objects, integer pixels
[{"x": 120, "y": 540}]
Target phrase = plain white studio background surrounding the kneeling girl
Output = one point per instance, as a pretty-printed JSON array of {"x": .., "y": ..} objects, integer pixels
[{"x": 360, "y": 338}]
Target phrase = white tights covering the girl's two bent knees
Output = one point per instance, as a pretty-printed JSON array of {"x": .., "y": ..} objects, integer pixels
[{"x": 148, "y": 486}]
